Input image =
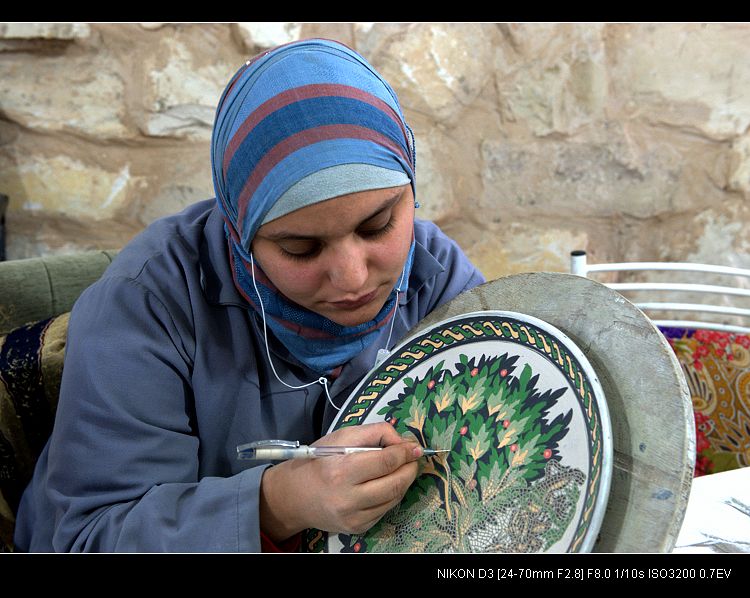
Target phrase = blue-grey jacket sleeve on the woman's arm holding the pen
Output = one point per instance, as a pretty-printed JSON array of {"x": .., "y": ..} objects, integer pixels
[{"x": 123, "y": 461}]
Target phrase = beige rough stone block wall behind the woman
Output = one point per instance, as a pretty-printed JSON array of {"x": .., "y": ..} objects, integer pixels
[{"x": 629, "y": 140}]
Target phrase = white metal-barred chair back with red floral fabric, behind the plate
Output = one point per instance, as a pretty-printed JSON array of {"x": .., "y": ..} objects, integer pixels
[{"x": 703, "y": 310}]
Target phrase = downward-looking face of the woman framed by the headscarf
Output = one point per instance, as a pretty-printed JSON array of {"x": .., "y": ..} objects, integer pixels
[{"x": 342, "y": 257}]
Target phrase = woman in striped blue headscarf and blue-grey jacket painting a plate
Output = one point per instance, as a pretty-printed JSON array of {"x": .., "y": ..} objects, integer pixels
[{"x": 249, "y": 317}]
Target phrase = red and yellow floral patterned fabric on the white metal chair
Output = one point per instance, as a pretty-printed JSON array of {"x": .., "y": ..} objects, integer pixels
[{"x": 717, "y": 369}]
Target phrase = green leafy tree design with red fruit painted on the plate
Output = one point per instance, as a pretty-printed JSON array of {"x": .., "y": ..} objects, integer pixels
[{"x": 501, "y": 488}]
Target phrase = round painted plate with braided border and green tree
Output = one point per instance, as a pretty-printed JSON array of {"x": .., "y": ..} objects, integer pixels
[{"x": 525, "y": 419}]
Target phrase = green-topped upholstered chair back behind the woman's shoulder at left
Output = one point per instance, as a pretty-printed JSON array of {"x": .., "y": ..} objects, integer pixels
[{"x": 36, "y": 295}]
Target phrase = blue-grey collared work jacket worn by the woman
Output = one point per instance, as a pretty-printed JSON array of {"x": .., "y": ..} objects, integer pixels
[{"x": 165, "y": 374}]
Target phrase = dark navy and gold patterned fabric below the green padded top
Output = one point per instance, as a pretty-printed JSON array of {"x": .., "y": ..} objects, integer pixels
[{"x": 31, "y": 361}]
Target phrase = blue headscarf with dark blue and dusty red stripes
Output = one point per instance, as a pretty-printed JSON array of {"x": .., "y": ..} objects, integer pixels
[{"x": 299, "y": 124}]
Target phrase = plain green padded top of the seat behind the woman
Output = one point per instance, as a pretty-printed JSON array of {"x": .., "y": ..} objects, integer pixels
[{"x": 37, "y": 288}]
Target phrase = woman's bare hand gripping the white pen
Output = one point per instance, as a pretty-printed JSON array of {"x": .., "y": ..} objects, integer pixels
[{"x": 339, "y": 494}]
